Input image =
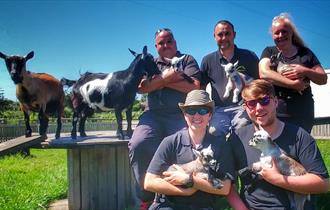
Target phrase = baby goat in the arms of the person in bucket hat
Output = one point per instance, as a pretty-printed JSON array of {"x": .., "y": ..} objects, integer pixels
[{"x": 201, "y": 166}]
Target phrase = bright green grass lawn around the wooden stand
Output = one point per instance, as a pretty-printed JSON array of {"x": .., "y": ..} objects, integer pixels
[{"x": 33, "y": 182}]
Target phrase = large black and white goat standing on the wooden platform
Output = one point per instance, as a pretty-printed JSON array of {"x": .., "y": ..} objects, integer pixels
[{"x": 100, "y": 91}]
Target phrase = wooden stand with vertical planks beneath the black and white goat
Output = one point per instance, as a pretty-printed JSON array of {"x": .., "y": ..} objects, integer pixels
[{"x": 99, "y": 174}]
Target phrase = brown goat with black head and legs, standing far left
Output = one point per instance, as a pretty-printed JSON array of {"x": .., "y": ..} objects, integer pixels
[{"x": 37, "y": 92}]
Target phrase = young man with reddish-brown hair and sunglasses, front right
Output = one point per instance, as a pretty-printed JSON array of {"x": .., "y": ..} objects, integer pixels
[{"x": 268, "y": 190}]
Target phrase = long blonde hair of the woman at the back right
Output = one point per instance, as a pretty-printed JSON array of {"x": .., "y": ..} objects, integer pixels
[{"x": 286, "y": 18}]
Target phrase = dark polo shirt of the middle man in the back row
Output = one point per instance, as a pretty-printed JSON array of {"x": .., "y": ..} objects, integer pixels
[{"x": 214, "y": 73}]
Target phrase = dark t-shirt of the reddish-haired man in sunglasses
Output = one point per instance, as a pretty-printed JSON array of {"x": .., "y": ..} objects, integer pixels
[{"x": 297, "y": 143}]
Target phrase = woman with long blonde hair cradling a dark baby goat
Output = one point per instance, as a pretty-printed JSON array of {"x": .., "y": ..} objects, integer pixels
[{"x": 290, "y": 65}]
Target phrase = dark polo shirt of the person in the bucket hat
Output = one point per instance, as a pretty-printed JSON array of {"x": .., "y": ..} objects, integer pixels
[{"x": 177, "y": 149}]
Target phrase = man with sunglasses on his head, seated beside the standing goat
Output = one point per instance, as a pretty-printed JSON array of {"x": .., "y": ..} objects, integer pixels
[{"x": 162, "y": 117}]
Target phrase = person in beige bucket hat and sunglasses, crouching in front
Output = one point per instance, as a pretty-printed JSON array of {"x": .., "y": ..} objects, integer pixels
[{"x": 177, "y": 189}]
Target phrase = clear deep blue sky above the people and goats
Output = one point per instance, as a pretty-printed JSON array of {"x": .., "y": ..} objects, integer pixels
[{"x": 69, "y": 37}]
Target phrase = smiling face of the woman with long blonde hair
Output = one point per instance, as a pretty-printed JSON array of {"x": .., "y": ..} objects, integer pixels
[{"x": 282, "y": 34}]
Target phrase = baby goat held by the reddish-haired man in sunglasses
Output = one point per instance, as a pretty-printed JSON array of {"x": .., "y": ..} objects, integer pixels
[{"x": 286, "y": 165}]
